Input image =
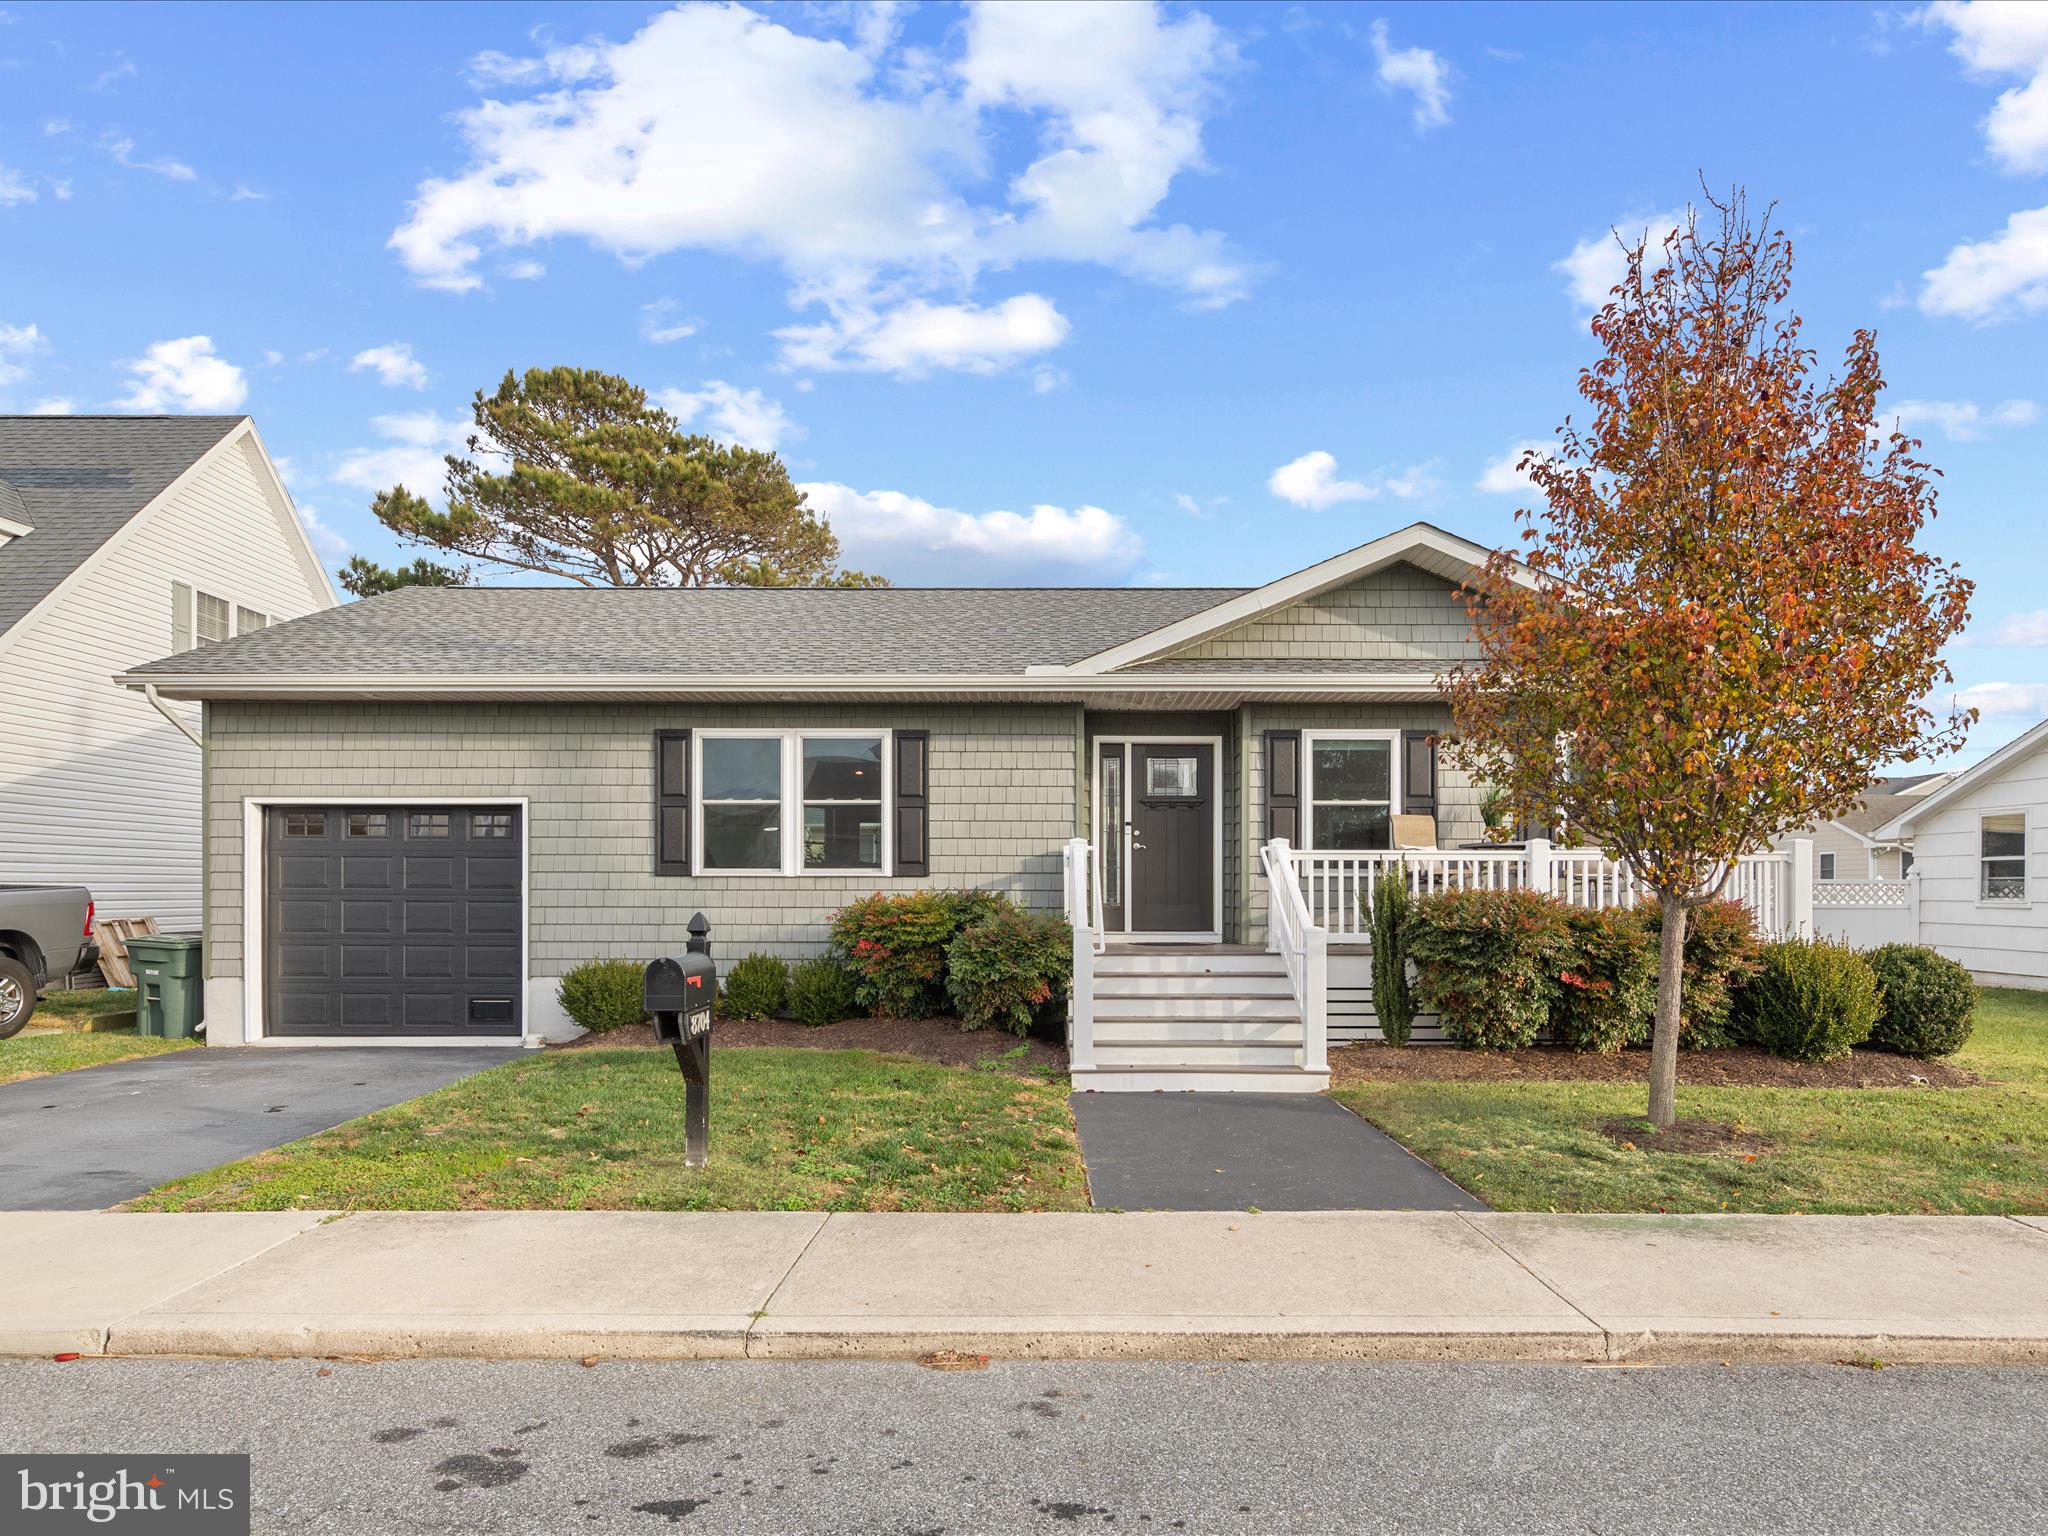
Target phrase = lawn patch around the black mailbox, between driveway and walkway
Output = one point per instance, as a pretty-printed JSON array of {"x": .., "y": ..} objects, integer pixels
[{"x": 601, "y": 1129}]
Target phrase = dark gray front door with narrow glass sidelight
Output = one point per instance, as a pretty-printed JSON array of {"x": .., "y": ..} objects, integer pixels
[{"x": 1158, "y": 837}]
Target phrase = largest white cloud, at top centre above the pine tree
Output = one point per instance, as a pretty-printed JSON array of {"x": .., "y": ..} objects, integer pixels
[{"x": 859, "y": 169}]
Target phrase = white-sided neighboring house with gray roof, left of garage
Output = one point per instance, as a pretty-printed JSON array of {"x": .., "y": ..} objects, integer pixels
[{"x": 122, "y": 542}]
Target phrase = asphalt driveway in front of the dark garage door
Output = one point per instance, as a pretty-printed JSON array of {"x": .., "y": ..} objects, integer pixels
[{"x": 95, "y": 1138}]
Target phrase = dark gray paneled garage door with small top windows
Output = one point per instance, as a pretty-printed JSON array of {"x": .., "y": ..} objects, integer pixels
[{"x": 392, "y": 921}]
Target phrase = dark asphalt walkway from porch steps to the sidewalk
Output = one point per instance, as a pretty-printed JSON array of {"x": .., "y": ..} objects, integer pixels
[{"x": 1250, "y": 1152}]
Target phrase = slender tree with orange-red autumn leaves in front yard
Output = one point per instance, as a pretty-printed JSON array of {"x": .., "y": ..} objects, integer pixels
[{"x": 1719, "y": 624}]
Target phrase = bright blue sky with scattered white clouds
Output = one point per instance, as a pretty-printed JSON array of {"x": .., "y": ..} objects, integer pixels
[{"x": 1193, "y": 296}]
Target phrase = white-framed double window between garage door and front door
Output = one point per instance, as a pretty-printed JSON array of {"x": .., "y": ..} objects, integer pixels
[{"x": 792, "y": 802}]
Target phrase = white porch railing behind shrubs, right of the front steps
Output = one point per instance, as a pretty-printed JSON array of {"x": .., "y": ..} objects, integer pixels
[{"x": 1336, "y": 890}]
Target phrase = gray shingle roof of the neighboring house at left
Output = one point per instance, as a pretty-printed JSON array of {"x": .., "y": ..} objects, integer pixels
[{"x": 81, "y": 478}]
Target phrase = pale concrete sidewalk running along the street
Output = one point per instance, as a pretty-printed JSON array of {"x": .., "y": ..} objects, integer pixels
[{"x": 1185, "y": 1285}]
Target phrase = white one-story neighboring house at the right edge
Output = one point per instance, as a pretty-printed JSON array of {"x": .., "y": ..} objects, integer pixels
[{"x": 1981, "y": 865}]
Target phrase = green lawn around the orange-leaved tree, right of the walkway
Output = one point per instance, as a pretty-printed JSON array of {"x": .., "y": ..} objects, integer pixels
[{"x": 1867, "y": 1150}]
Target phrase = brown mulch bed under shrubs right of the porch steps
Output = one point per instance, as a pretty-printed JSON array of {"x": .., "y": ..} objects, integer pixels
[{"x": 1732, "y": 1068}]
